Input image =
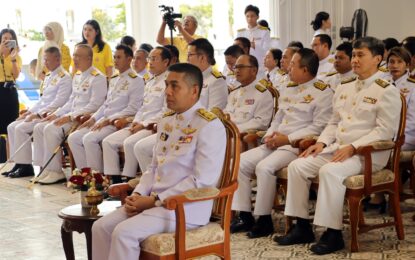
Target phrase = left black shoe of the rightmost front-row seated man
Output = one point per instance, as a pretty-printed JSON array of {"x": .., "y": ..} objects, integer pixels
[{"x": 296, "y": 235}]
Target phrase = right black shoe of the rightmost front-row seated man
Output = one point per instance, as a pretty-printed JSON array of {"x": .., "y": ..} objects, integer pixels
[{"x": 329, "y": 242}]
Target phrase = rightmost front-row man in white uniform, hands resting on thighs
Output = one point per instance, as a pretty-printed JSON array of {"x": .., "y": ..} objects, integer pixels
[{"x": 365, "y": 110}]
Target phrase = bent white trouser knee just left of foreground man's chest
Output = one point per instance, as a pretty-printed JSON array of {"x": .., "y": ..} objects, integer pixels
[{"x": 143, "y": 151}]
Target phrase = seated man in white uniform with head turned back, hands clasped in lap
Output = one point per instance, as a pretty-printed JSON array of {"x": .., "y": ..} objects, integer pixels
[{"x": 304, "y": 112}]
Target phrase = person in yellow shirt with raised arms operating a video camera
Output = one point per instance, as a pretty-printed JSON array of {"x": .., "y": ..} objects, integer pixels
[{"x": 186, "y": 35}]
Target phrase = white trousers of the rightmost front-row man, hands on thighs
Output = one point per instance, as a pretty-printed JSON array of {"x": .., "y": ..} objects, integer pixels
[{"x": 331, "y": 191}]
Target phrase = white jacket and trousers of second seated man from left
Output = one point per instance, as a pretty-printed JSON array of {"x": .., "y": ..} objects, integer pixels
[{"x": 89, "y": 89}]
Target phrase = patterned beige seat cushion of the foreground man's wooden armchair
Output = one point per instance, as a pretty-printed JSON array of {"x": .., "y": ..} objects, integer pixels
[{"x": 164, "y": 243}]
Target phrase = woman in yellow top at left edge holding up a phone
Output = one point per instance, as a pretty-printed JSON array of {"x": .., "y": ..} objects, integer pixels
[{"x": 10, "y": 64}]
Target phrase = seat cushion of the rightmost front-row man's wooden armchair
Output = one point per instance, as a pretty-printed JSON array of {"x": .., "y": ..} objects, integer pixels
[{"x": 378, "y": 178}]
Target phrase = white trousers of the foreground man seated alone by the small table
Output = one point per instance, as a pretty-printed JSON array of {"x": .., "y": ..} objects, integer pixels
[{"x": 116, "y": 236}]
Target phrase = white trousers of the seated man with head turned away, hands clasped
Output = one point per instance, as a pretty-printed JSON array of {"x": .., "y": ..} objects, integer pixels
[{"x": 264, "y": 163}]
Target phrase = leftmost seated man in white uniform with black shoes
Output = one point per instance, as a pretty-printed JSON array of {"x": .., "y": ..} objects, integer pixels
[{"x": 57, "y": 87}]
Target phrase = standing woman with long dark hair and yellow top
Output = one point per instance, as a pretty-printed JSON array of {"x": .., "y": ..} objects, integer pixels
[{"x": 102, "y": 59}]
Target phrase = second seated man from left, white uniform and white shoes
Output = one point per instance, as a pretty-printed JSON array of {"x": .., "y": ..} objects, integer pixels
[{"x": 89, "y": 88}]
